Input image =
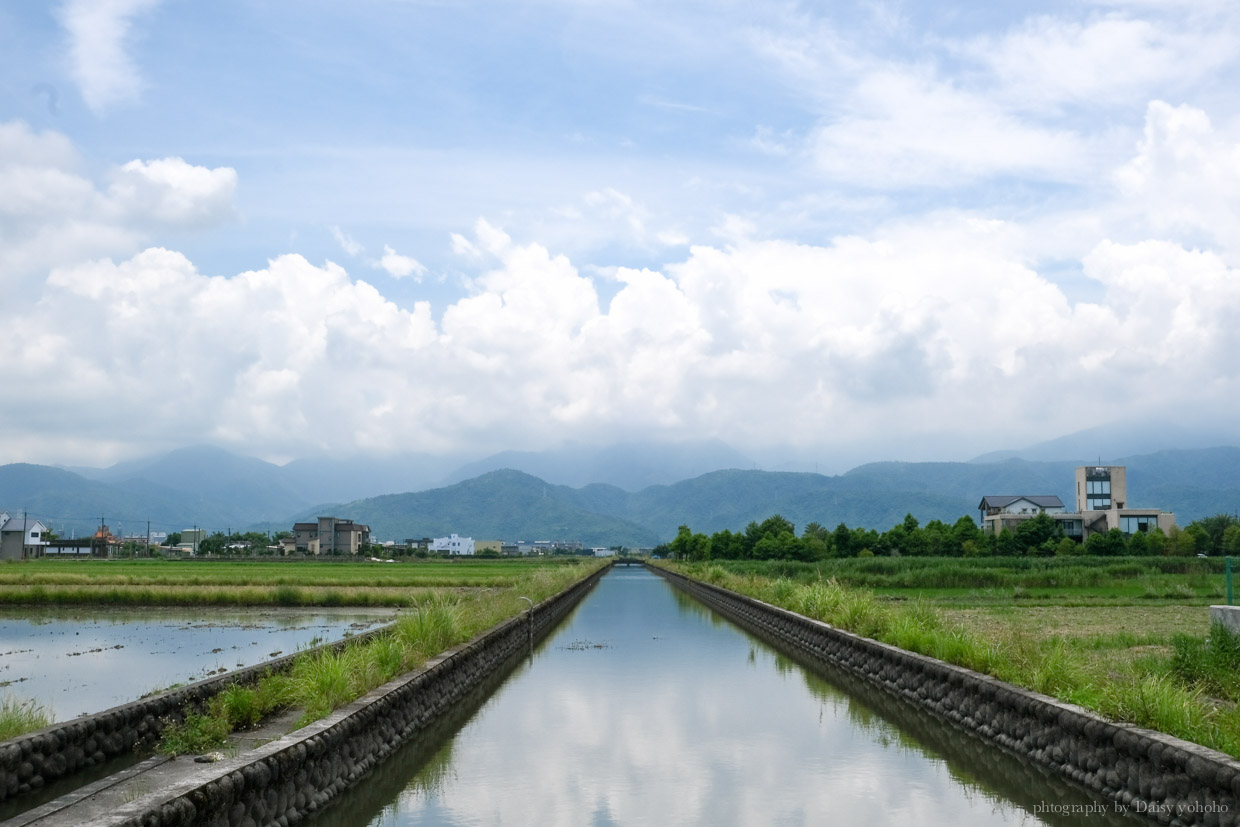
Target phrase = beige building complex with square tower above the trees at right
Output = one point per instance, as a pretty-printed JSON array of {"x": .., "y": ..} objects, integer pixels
[{"x": 1102, "y": 505}]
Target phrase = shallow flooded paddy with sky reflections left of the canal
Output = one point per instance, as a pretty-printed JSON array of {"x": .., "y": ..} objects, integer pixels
[{"x": 77, "y": 661}]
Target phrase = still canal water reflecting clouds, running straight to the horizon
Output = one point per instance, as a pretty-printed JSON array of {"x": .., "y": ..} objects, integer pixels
[{"x": 648, "y": 709}]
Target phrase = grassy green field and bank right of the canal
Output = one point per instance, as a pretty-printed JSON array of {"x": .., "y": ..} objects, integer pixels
[{"x": 1160, "y": 668}]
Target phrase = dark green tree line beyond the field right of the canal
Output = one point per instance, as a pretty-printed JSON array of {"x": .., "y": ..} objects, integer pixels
[{"x": 776, "y": 539}]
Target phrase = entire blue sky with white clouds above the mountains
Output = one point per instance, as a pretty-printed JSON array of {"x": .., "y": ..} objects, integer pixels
[{"x": 813, "y": 231}]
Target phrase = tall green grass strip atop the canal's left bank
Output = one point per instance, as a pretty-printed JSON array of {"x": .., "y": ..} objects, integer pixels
[{"x": 321, "y": 683}]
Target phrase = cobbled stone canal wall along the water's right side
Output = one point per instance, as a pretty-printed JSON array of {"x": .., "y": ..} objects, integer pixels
[{"x": 1172, "y": 781}]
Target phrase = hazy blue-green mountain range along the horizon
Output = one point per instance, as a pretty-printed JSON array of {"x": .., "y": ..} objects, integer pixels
[{"x": 213, "y": 489}]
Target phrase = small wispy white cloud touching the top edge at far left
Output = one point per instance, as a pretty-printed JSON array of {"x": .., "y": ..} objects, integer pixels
[{"x": 101, "y": 66}]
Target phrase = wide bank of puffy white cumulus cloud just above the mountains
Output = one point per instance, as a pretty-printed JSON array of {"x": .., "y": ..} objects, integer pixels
[{"x": 900, "y": 332}]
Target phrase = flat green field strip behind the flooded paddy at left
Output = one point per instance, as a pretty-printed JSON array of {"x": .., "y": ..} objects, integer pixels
[{"x": 259, "y": 583}]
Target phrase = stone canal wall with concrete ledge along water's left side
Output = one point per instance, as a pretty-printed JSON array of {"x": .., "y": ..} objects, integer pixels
[{"x": 293, "y": 777}]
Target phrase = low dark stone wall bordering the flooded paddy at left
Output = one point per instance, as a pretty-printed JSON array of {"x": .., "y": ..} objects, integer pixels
[{"x": 30, "y": 762}]
